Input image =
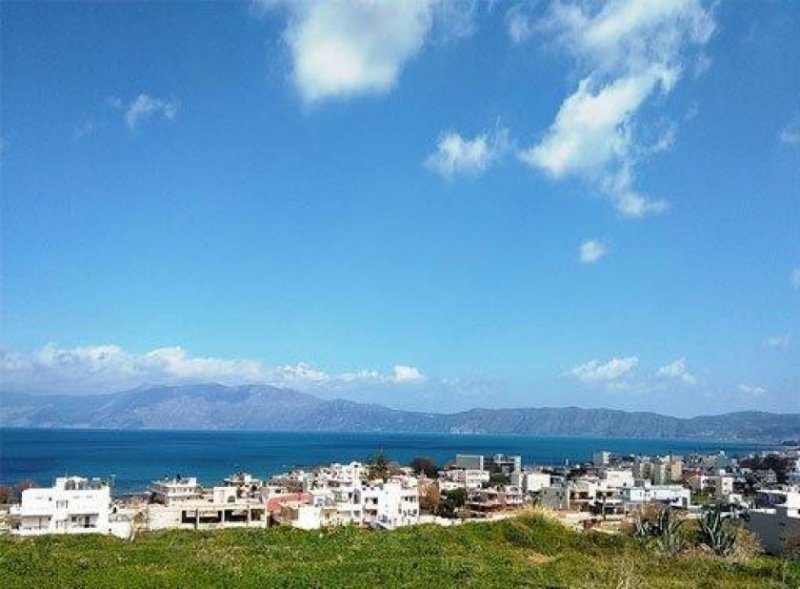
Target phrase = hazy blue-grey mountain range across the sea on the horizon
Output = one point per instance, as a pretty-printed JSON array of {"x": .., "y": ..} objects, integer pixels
[{"x": 217, "y": 407}]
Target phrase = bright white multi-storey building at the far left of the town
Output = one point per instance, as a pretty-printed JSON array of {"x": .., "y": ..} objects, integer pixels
[{"x": 74, "y": 505}]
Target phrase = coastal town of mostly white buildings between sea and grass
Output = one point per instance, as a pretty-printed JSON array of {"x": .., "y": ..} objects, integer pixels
[{"x": 762, "y": 490}]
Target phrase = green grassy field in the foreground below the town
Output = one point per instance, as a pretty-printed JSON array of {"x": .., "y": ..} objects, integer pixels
[{"x": 529, "y": 551}]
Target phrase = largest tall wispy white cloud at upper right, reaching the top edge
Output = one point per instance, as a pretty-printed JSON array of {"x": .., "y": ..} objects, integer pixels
[{"x": 632, "y": 52}]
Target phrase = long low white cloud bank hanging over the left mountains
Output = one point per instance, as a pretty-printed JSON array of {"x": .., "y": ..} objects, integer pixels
[{"x": 105, "y": 368}]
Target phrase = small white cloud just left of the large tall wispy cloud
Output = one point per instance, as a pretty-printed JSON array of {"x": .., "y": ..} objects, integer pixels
[{"x": 456, "y": 155}]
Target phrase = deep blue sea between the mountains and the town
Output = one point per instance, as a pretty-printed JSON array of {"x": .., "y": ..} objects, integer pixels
[{"x": 135, "y": 457}]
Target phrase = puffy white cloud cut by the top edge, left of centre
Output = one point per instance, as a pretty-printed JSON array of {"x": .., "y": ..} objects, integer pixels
[{"x": 344, "y": 48}]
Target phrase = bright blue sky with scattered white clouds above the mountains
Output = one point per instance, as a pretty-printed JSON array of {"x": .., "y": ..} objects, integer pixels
[{"x": 425, "y": 204}]
